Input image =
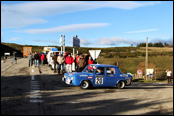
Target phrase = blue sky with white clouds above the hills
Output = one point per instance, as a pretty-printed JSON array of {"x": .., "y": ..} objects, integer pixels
[{"x": 96, "y": 23}]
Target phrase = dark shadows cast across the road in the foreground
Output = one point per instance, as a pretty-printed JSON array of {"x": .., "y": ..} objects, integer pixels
[{"x": 62, "y": 99}]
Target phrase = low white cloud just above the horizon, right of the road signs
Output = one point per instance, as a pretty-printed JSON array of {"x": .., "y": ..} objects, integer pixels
[{"x": 115, "y": 41}]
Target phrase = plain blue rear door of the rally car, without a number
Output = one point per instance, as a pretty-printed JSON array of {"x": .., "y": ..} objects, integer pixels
[{"x": 111, "y": 76}]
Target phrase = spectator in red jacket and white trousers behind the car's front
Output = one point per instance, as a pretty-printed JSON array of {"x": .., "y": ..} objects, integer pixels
[{"x": 69, "y": 60}]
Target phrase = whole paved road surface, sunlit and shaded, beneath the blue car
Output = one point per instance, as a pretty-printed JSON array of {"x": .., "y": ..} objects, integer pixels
[{"x": 38, "y": 91}]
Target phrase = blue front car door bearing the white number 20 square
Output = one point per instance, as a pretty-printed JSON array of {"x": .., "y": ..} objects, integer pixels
[{"x": 99, "y": 78}]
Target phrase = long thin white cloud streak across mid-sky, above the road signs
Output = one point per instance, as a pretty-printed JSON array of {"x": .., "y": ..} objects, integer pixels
[{"x": 66, "y": 28}]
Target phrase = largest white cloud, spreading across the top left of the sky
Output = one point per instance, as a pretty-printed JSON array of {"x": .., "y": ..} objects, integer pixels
[{"x": 24, "y": 14}]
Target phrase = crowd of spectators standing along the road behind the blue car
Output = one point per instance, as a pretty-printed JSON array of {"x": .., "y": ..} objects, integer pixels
[{"x": 63, "y": 63}]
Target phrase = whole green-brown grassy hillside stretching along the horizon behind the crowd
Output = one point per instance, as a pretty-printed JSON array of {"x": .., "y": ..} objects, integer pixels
[{"x": 160, "y": 58}]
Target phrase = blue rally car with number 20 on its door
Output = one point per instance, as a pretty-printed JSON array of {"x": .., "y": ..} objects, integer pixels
[{"x": 98, "y": 75}]
